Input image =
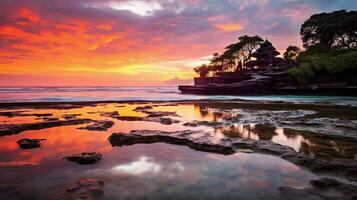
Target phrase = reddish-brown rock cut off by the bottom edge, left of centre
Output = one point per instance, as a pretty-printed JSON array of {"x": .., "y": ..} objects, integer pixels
[{"x": 85, "y": 188}]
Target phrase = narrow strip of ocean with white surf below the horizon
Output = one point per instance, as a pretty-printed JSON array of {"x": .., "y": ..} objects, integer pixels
[{"x": 136, "y": 93}]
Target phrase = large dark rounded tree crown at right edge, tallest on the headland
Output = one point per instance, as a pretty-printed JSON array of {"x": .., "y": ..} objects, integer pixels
[{"x": 330, "y": 30}]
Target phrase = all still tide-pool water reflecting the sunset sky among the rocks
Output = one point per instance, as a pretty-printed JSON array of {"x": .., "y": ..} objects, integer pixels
[{"x": 160, "y": 171}]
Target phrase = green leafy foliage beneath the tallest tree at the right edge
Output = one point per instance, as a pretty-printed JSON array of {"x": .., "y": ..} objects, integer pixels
[{"x": 332, "y": 62}]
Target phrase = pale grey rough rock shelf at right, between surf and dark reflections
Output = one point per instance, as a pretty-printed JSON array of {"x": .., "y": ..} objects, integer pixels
[{"x": 303, "y": 120}]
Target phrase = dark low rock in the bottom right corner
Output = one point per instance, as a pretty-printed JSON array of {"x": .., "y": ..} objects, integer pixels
[{"x": 324, "y": 188}]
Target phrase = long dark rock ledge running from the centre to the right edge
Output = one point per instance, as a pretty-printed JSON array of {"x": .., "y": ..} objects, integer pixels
[{"x": 202, "y": 141}]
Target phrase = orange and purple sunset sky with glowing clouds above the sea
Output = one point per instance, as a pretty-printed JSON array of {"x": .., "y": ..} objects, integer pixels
[{"x": 134, "y": 42}]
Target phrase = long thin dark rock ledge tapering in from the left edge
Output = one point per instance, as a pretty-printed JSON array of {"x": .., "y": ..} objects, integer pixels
[{"x": 10, "y": 129}]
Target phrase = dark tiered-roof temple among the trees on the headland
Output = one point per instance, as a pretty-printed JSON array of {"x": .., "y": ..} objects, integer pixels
[{"x": 265, "y": 58}]
